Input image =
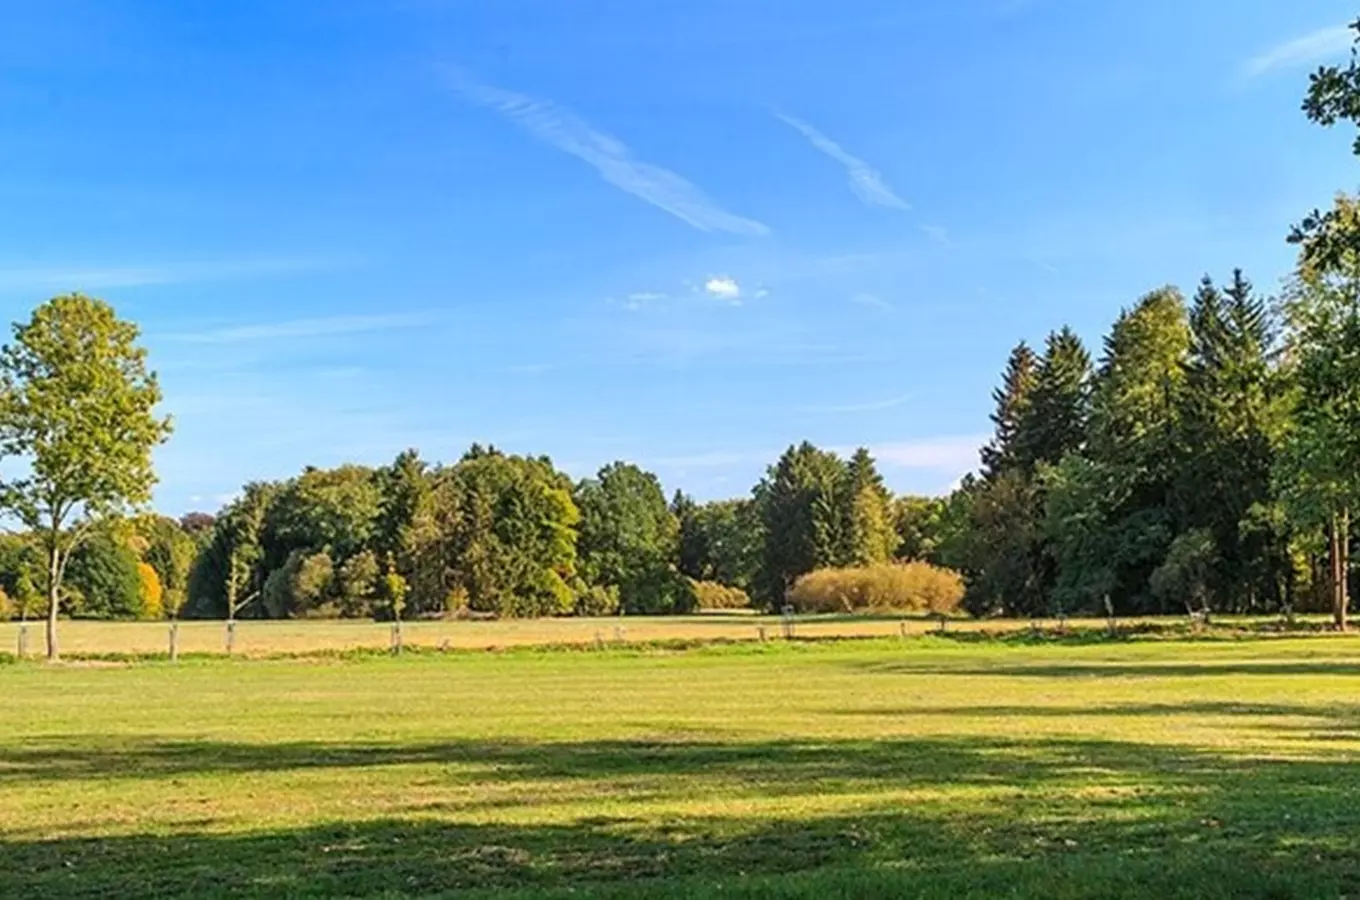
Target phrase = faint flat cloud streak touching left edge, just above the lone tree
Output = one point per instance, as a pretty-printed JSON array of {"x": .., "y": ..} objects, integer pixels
[{"x": 89, "y": 278}]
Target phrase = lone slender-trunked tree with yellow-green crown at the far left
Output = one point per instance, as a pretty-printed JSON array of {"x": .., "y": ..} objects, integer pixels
[{"x": 78, "y": 406}]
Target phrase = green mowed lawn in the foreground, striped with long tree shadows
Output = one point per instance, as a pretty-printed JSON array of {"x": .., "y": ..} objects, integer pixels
[{"x": 924, "y": 767}]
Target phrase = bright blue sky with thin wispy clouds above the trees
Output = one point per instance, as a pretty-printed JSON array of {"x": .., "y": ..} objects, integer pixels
[{"x": 683, "y": 235}]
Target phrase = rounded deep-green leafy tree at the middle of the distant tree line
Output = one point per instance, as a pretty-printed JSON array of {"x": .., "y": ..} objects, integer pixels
[{"x": 629, "y": 539}]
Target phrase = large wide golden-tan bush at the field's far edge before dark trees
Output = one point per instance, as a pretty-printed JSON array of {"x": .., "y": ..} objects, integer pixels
[{"x": 912, "y": 588}]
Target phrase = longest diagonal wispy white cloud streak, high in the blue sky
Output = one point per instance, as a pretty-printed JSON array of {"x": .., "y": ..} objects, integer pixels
[{"x": 610, "y": 157}]
